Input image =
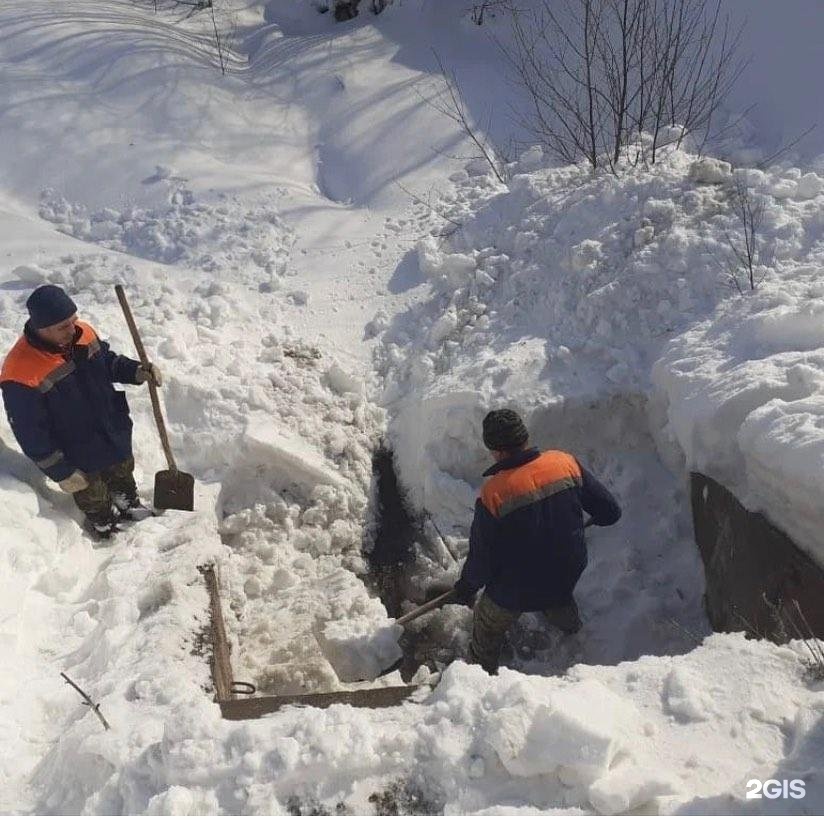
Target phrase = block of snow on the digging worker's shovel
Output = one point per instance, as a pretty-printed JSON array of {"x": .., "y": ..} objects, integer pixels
[{"x": 360, "y": 649}]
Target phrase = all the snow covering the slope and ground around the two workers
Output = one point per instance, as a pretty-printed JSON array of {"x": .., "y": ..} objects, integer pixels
[{"x": 305, "y": 311}]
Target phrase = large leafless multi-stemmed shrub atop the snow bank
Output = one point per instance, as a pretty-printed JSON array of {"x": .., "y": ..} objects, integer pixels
[{"x": 616, "y": 80}]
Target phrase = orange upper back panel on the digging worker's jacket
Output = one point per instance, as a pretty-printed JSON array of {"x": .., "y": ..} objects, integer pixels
[{"x": 509, "y": 490}]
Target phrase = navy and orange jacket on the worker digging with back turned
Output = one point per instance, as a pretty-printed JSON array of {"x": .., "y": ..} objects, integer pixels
[{"x": 526, "y": 545}]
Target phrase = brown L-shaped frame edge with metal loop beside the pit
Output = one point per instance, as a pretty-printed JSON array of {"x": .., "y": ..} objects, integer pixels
[{"x": 234, "y": 708}]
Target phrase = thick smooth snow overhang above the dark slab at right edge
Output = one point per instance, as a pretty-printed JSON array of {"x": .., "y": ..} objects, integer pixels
[{"x": 743, "y": 392}]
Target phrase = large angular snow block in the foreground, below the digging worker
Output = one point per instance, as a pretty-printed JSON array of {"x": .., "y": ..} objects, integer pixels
[{"x": 577, "y": 736}]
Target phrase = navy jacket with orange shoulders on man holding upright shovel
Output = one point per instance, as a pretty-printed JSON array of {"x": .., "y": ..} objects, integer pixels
[{"x": 62, "y": 406}]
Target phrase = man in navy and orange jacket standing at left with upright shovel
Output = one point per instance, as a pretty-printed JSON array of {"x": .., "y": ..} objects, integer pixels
[{"x": 65, "y": 413}]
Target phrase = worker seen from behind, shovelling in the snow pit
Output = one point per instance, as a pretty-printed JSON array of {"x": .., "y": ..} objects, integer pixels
[{"x": 526, "y": 545}]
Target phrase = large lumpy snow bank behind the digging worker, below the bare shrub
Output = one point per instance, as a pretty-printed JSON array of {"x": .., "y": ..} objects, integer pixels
[{"x": 560, "y": 289}]
